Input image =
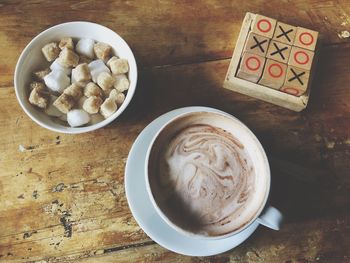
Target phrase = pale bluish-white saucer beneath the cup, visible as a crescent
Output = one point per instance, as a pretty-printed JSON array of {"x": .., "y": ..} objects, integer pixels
[{"x": 146, "y": 216}]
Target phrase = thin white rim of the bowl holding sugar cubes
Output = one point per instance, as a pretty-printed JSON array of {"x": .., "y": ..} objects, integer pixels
[{"x": 73, "y": 130}]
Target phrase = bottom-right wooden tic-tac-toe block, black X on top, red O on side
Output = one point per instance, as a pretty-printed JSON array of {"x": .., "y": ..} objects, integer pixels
[{"x": 296, "y": 81}]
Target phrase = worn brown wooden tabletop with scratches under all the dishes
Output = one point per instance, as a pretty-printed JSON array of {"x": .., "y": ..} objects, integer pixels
[{"x": 62, "y": 196}]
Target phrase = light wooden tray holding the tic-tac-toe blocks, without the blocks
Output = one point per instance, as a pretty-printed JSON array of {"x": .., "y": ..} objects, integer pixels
[{"x": 256, "y": 90}]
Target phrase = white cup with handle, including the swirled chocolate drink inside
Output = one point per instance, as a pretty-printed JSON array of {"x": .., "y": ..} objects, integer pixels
[{"x": 208, "y": 176}]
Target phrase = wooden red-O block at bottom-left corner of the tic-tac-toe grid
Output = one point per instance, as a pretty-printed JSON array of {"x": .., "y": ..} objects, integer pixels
[{"x": 251, "y": 67}]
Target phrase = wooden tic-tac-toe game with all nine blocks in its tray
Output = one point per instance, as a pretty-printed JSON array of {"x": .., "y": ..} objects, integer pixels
[{"x": 273, "y": 61}]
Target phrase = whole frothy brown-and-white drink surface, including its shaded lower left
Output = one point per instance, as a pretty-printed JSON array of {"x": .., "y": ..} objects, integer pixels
[{"x": 203, "y": 180}]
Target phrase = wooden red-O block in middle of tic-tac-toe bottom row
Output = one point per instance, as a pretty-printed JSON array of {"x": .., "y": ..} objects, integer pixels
[{"x": 274, "y": 74}]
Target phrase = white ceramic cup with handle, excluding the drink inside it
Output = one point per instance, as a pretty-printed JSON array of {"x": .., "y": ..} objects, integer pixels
[{"x": 265, "y": 214}]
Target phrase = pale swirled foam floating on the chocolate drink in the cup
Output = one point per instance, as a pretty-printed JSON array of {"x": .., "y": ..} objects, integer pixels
[{"x": 210, "y": 172}]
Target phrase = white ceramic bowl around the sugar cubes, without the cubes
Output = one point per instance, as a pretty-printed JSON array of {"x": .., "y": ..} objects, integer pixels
[{"x": 32, "y": 59}]
